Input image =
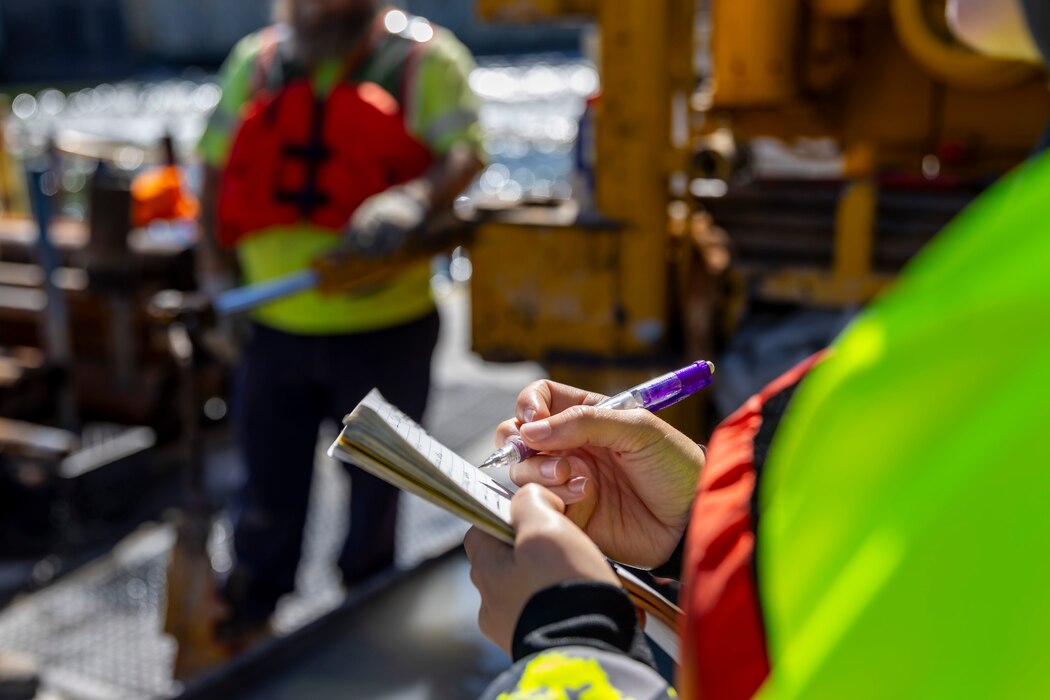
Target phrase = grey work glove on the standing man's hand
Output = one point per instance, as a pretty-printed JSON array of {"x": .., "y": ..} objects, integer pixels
[{"x": 385, "y": 223}]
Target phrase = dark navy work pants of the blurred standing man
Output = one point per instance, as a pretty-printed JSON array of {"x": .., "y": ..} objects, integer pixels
[{"x": 288, "y": 385}]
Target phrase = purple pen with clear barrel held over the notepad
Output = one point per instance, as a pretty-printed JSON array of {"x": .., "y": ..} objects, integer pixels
[{"x": 655, "y": 395}]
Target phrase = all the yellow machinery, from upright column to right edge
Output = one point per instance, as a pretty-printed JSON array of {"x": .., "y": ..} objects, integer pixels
[{"x": 918, "y": 119}]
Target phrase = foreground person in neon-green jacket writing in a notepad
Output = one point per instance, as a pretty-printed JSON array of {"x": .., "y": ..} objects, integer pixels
[{"x": 890, "y": 546}]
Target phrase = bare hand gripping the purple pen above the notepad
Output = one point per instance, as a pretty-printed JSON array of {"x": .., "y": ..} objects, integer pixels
[{"x": 626, "y": 477}]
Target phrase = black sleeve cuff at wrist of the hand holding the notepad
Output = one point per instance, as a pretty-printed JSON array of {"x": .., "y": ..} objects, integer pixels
[{"x": 581, "y": 614}]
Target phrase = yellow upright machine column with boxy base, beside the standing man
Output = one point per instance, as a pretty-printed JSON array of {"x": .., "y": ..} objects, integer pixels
[{"x": 594, "y": 303}]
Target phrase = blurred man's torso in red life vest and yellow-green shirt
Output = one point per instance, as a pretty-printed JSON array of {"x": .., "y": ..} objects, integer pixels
[{"x": 310, "y": 150}]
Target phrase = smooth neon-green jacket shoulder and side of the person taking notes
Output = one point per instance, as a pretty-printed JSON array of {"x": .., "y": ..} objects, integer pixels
[{"x": 901, "y": 546}]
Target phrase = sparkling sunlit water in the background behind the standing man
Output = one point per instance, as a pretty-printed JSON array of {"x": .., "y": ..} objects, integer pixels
[{"x": 531, "y": 108}]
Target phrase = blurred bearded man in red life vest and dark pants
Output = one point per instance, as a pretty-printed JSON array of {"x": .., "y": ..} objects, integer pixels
[{"x": 343, "y": 129}]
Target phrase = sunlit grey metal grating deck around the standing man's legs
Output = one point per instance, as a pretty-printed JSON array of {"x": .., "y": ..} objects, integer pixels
[{"x": 97, "y": 634}]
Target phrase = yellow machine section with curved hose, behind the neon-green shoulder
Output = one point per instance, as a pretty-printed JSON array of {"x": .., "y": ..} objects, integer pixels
[{"x": 906, "y": 102}]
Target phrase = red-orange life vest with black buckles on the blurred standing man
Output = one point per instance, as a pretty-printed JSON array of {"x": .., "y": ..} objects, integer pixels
[{"x": 301, "y": 158}]
